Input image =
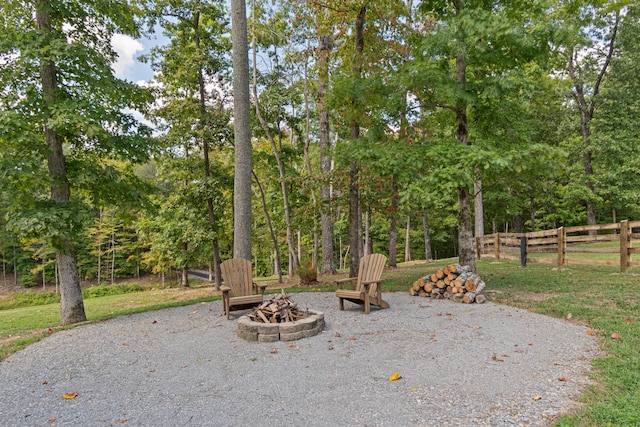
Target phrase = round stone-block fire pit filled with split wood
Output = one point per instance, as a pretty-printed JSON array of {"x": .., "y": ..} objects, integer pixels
[{"x": 280, "y": 319}]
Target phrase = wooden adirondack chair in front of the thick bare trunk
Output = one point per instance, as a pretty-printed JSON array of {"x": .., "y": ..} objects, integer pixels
[{"x": 239, "y": 290}]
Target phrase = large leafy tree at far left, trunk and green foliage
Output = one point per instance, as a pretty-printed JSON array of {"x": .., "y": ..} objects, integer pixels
[{"x": 62, "y": 101}]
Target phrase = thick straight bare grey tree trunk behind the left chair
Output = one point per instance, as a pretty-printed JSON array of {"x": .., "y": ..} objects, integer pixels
[{"x": 242, "y": 133}]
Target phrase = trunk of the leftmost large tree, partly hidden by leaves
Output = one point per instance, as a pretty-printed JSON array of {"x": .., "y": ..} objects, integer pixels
[{"x": 71, "y": 303}]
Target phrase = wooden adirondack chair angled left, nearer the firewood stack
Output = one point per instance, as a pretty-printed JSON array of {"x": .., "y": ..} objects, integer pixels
[{"x": 368, "y": 290}]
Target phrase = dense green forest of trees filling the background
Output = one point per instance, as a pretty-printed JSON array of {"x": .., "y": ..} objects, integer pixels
[{"x": 398, "y": 127}]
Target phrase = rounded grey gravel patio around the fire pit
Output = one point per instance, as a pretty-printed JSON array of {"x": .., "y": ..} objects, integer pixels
[{"x": 461, "y": 365}]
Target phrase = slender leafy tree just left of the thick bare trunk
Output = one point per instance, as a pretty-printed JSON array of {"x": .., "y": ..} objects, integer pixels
[{"x": 192, "y": 72}]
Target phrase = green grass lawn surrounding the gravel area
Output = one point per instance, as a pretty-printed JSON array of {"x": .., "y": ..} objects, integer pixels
[{"x": 600, "y": 297}]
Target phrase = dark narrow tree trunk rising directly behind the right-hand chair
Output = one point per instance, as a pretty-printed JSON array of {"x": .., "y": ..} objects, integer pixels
[{"x": 354, "y": 209}]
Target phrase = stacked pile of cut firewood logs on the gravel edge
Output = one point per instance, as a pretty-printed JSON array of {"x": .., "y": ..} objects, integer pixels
[{"x": 454, "y": 282}]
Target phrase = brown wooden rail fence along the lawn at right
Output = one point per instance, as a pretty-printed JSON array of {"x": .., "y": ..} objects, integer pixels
[{"x": 564, "y": 245}]
